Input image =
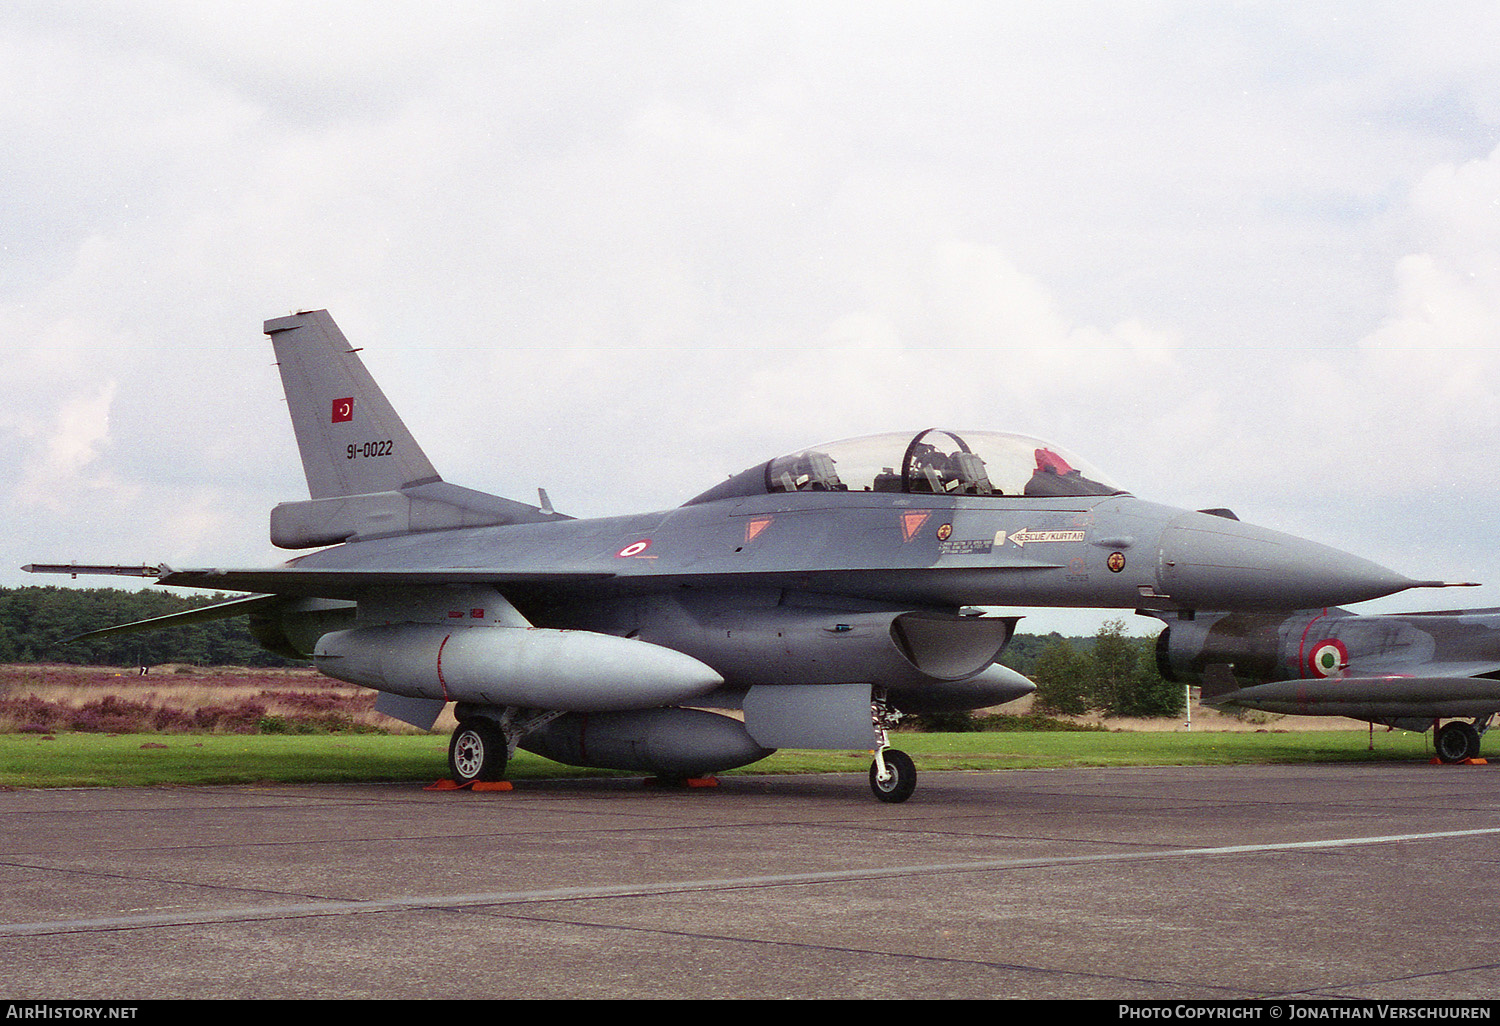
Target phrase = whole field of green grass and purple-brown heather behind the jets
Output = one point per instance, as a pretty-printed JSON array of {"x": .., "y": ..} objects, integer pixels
[{"x": 71, "y": 727}]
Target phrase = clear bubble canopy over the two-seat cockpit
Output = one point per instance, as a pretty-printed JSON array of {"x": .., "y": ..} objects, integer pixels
[{"x": 932, "y": 463}]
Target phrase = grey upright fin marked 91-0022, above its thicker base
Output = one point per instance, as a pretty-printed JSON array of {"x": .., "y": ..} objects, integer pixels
[{"x": 350, "y": 437}]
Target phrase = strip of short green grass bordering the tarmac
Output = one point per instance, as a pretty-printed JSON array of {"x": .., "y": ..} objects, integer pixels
[{"x": 136, "y": 760}]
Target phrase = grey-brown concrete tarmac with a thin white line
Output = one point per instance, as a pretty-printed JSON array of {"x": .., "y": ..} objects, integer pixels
[{"x": 1240, "y": 883}]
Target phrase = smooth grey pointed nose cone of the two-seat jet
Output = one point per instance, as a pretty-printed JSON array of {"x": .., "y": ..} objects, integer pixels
[{"x": 1216, "y": 563}]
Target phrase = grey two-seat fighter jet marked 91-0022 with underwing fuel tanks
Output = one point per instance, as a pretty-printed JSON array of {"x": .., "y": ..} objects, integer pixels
[{"x": 805, "y": 602}]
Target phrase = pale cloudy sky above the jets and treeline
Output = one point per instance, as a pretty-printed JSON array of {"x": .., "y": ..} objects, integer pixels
[{"x": 1238, "y": 256}]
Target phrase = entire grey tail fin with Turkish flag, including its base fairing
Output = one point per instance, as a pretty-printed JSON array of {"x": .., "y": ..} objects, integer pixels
[{"x": 367, "y": 475}]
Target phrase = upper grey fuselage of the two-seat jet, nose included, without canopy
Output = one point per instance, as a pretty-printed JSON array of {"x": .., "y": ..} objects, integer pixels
[{"x": 926, "y": 550}]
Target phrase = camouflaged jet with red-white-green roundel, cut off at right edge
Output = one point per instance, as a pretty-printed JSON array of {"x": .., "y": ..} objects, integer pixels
[{"x": 1405, "y": 671}]
